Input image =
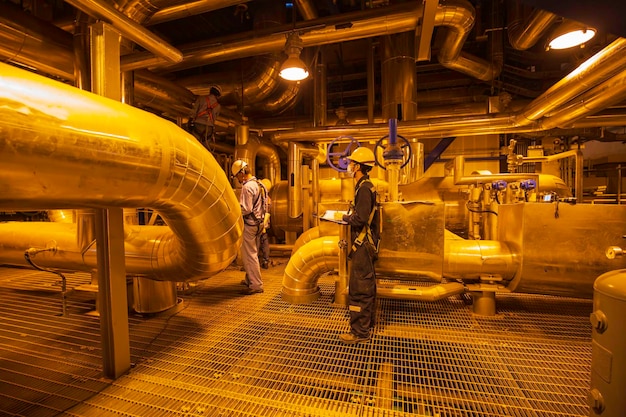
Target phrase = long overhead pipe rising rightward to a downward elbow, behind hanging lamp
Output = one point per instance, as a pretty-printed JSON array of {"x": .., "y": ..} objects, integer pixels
[{"x": 374, "y": 22}]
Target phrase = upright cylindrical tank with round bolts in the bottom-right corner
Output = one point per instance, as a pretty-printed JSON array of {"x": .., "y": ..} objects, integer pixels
[{"x": 608, "y": 364}]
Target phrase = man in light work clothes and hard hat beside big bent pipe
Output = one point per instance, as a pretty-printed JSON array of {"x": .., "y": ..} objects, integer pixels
[{"x": 253, "y": 202}]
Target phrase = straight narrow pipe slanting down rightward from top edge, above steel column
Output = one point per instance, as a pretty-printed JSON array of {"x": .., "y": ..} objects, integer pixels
[{"x": 129, "y": 29}]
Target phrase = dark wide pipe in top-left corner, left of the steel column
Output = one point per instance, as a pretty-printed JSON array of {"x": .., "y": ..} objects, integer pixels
[{"x": 29, "y": 42}]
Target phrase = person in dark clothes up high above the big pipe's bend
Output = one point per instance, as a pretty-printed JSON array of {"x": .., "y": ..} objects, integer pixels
[{"x": 203, "y": 115}]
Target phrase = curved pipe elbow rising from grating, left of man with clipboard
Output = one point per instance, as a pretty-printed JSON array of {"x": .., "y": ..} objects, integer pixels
[{"x": 306, "y": 265}]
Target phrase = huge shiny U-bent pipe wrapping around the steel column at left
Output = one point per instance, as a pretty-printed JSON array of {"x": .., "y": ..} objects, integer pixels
[{"x": 56, "y": 153}]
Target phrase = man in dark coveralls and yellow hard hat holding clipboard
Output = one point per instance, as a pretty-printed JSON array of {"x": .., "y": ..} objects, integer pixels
[{"x": 365, "y": 234}]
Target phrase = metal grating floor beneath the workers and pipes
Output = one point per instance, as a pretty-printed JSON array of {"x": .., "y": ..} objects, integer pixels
[{"x": 223, "y": 354}]
